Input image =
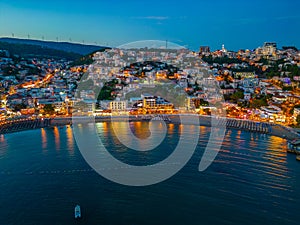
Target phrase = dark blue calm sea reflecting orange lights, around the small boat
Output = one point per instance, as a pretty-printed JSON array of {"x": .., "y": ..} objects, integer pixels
[{"x": 43, "y": 175}]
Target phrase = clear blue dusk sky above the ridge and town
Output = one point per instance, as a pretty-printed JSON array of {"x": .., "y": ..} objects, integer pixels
[{"x": 237, "y": 24}]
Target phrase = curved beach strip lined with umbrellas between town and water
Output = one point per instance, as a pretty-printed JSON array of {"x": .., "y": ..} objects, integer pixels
[{"x": 230, "y": 123}]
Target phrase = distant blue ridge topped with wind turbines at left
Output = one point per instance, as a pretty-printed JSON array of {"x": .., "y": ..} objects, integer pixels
[{"x": 62, "y": 46}]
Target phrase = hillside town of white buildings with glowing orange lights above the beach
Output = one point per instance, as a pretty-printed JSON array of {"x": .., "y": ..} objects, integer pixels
[{"x": 260, "y": 84}]
